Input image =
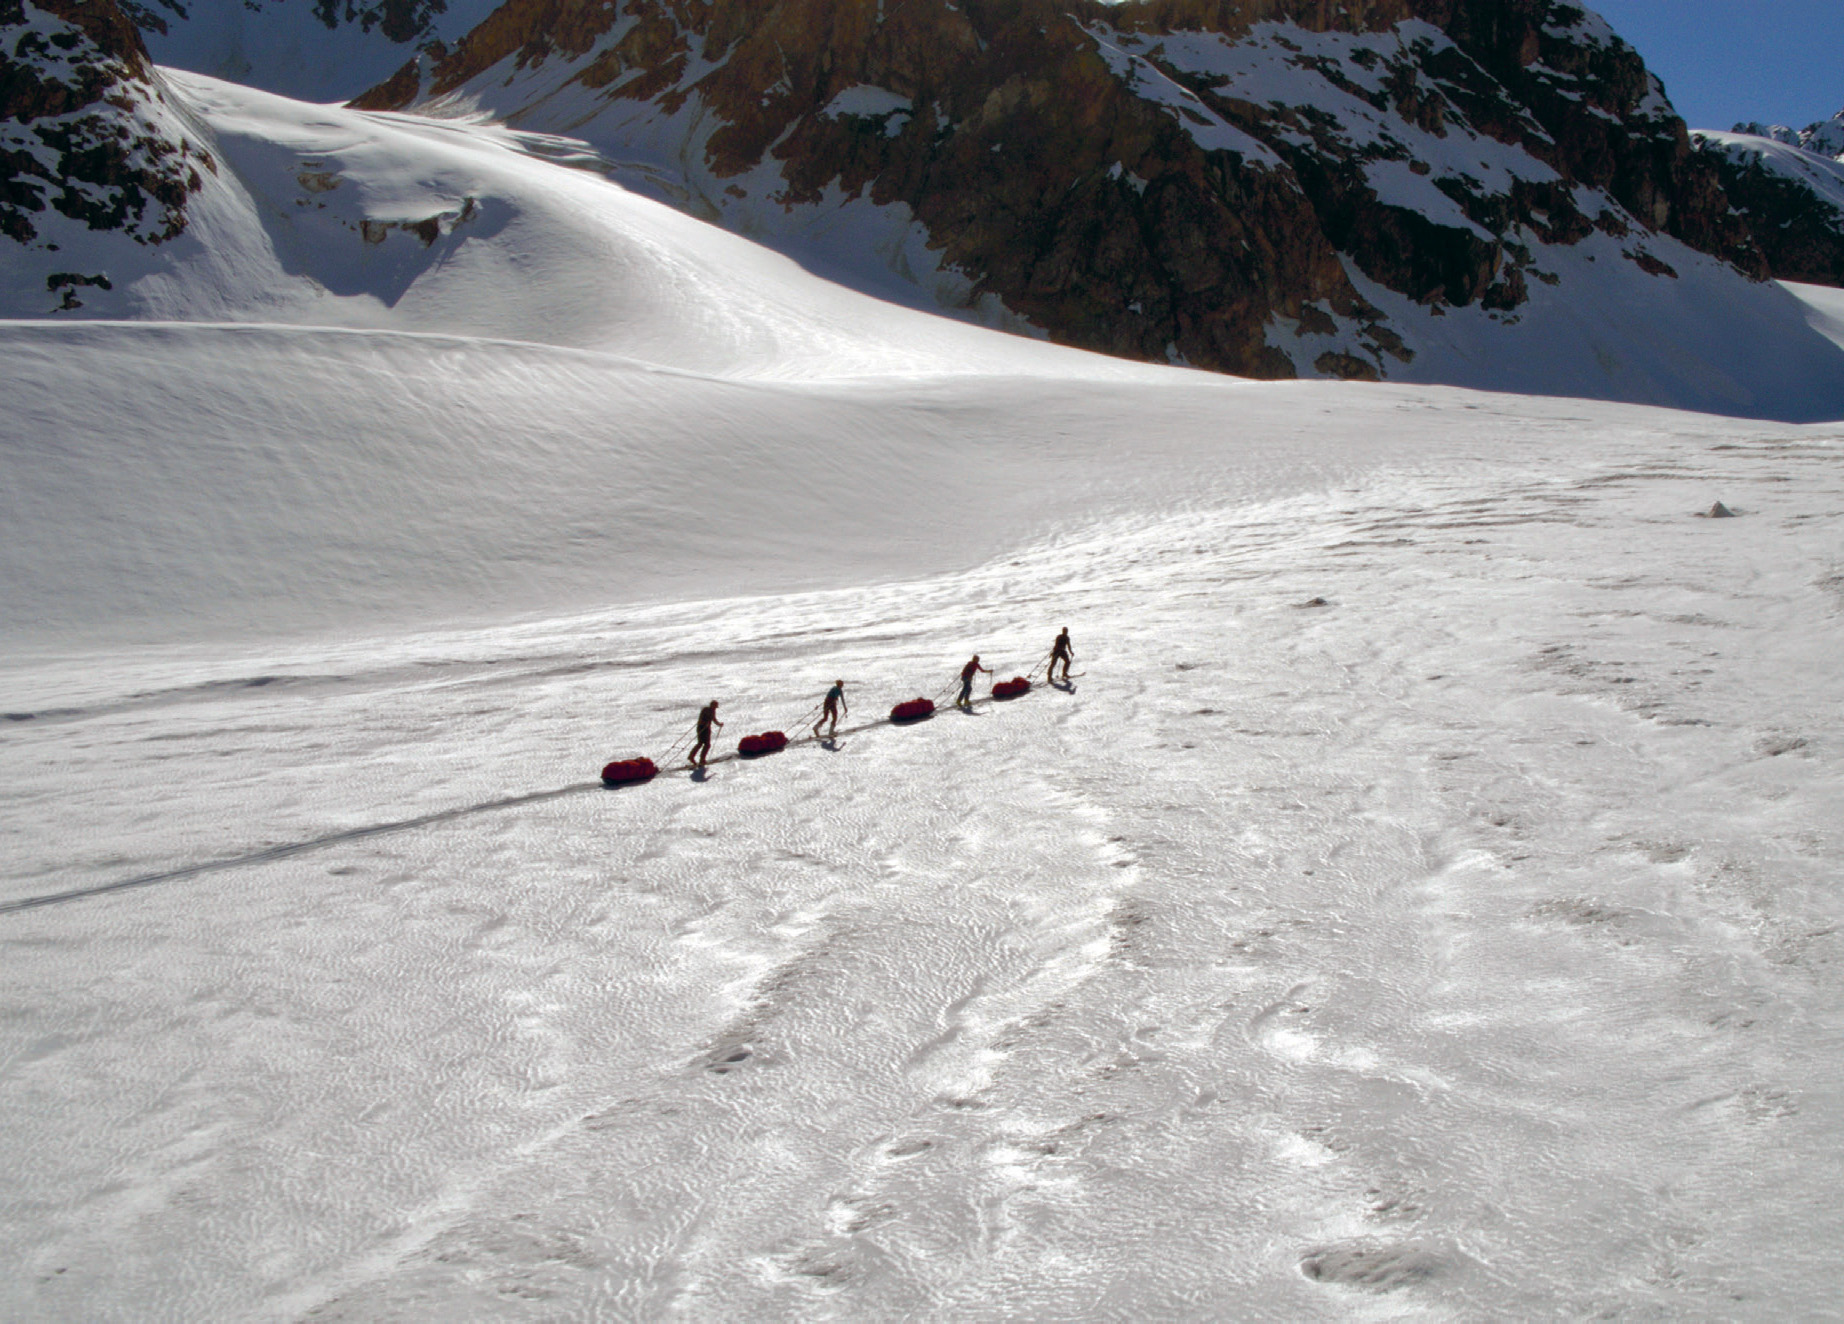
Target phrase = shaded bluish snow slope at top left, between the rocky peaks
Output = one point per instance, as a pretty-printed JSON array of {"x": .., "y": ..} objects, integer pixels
[{"x": 314, "y": 51}]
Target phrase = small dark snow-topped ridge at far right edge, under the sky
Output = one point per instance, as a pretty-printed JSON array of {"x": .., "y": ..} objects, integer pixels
[{"x": 1793, "y": 196}]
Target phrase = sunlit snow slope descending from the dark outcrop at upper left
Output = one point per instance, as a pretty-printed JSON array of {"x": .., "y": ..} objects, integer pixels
[{"x": 338, "y": 219}]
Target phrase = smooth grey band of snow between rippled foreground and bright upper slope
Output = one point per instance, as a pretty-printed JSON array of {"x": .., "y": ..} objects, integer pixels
[{"x": 183, "y": 480}]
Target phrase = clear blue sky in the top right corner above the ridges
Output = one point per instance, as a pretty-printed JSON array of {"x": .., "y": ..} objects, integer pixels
[{"x": 1780, "y": 62}]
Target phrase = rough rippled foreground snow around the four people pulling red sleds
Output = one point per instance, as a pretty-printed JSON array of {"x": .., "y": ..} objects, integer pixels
[{"x": 1463, "y": 947}]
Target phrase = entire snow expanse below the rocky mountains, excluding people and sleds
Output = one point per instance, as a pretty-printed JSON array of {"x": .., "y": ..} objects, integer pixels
[{"x": 1421, "y": 906}]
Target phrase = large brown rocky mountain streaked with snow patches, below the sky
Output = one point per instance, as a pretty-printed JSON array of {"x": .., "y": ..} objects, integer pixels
[{"x": 1233, "y": 183}]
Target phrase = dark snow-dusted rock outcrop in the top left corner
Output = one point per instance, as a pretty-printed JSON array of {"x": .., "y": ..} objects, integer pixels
[{"x": 88, "y": 134}]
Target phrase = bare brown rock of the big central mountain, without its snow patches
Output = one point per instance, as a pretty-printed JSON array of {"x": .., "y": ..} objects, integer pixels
[{"x": 1091, "y": 209}]
